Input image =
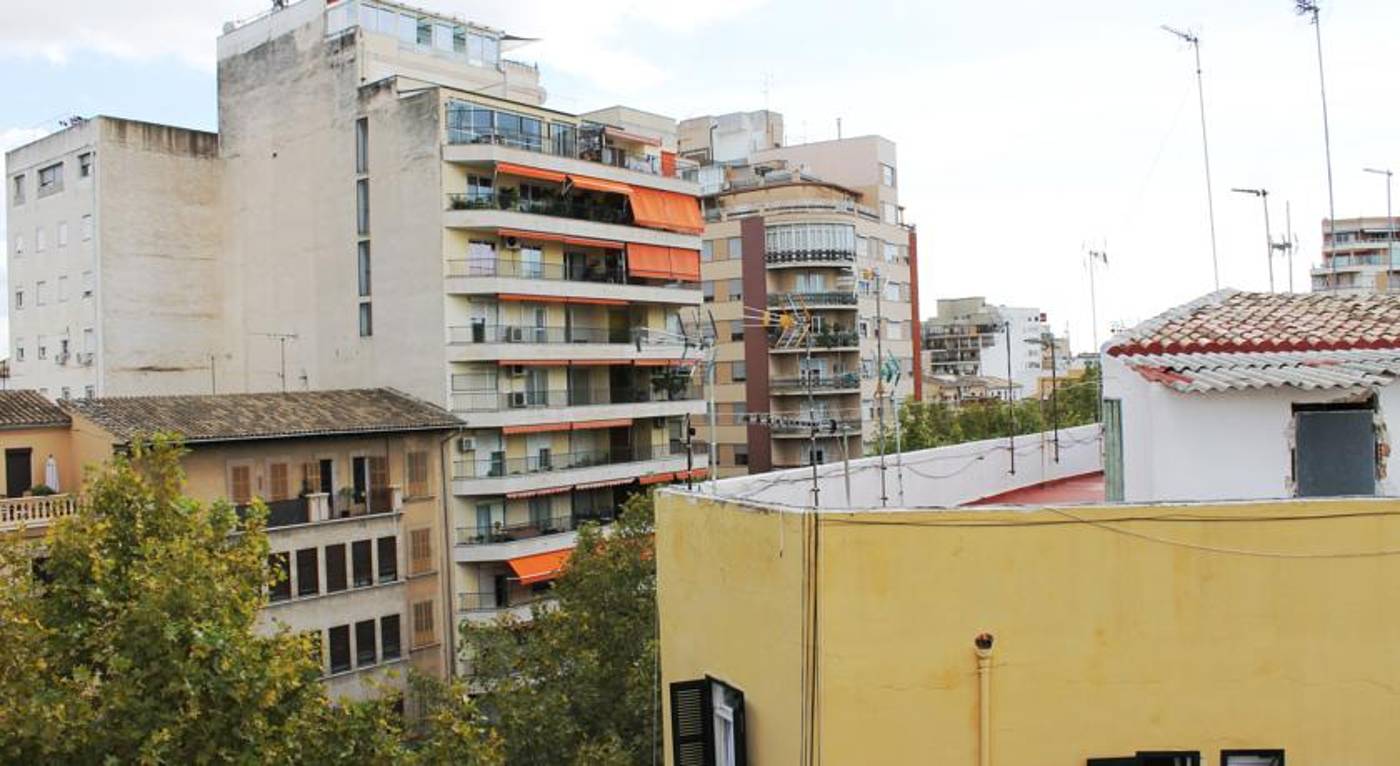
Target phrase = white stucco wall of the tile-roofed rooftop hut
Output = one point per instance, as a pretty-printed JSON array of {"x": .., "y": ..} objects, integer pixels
[{"x": 1230, "y": 446}]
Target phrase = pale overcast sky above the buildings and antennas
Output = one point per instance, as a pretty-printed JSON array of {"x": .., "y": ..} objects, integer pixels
[{"x": 1027, "y": 130}]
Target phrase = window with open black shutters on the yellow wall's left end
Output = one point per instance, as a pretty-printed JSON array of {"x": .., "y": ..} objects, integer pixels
[{"x": 708, "y": 723}]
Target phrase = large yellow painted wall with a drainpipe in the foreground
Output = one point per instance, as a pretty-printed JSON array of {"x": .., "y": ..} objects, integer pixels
[{"x": 1107, "y": 643}]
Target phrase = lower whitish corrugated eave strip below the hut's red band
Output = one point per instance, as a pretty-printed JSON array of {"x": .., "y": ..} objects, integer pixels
[{"x": 1307, "y": 370}]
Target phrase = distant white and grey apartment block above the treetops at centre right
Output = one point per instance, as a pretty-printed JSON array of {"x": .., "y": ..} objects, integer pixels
[{"x": 971, "y": 338}]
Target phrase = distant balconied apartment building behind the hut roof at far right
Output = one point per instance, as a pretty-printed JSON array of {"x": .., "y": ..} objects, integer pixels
[{"x": 1359, "y": 257}]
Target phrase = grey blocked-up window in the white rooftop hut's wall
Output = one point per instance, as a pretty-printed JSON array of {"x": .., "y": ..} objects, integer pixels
[{"x": 1335, "y": 450}]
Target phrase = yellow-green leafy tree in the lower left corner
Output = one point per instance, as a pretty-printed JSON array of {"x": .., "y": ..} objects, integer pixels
[{"x": 139, "y": 645}]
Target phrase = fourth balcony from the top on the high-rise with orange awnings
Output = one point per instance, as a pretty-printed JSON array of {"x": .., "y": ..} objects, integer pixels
[{"x": 482, "y": 342}]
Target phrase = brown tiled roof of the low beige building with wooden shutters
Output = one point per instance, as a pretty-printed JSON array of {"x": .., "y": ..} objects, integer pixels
[{"x": 250, "y": 417}]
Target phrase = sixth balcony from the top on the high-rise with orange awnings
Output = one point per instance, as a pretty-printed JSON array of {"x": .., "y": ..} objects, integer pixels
[{"x": 496, "y": 474}]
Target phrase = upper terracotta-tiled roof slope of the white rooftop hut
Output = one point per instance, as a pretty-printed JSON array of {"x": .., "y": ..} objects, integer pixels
[{"x": 1244, "y": 323}]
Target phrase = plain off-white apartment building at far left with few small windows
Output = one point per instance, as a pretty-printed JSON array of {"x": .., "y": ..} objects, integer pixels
[{"x": 115, "y": 235}]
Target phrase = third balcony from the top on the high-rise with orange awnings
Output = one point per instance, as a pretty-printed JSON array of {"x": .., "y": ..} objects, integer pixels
[{"x": 591, "y": 278}]
